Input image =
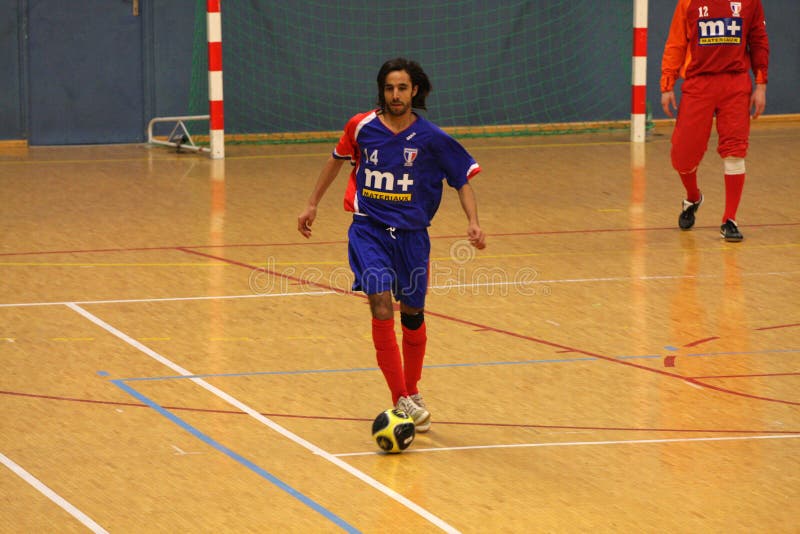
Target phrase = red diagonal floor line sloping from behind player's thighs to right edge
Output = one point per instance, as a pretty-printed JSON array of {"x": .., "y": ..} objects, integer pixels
[{"x": 509, "y": 333}]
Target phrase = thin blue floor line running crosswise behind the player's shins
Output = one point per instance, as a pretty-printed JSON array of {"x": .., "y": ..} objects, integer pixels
[{"x": 439, "y": 366}]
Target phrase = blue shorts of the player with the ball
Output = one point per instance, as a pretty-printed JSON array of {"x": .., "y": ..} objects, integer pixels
[{"x": 385, "y": 259}]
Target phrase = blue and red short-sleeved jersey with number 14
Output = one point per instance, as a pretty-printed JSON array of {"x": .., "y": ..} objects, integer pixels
[{"x": 397, "y": 179}]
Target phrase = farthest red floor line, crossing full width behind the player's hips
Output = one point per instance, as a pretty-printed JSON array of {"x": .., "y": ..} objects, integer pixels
[{"x": 343, "y": 241}]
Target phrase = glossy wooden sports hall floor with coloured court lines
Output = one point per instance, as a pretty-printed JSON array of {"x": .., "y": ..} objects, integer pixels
[{"x": 177, "y": 358}]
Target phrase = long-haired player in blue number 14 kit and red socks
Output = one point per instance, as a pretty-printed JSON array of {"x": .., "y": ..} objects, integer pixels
[{"x": 400, "y": 161}]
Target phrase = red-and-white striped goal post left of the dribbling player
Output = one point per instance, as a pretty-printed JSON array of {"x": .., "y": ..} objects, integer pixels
[{"x": 215, "y": 101}]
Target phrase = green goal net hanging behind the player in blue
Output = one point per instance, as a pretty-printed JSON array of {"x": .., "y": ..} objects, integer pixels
[{"x": 296, "y": 71}]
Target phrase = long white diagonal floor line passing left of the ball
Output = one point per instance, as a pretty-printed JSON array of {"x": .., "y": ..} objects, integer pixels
[{"x": 268, "y": 422}]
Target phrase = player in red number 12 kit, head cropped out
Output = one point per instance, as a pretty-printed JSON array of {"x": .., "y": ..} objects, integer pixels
[{"x": 713, "y": 45}]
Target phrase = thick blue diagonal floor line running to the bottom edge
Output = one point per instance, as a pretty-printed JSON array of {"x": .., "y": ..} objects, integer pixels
[{"x": 237, "y": 457}]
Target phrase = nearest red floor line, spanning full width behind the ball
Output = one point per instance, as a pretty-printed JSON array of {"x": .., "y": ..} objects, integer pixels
[{"x": 364, "y": 419}]
